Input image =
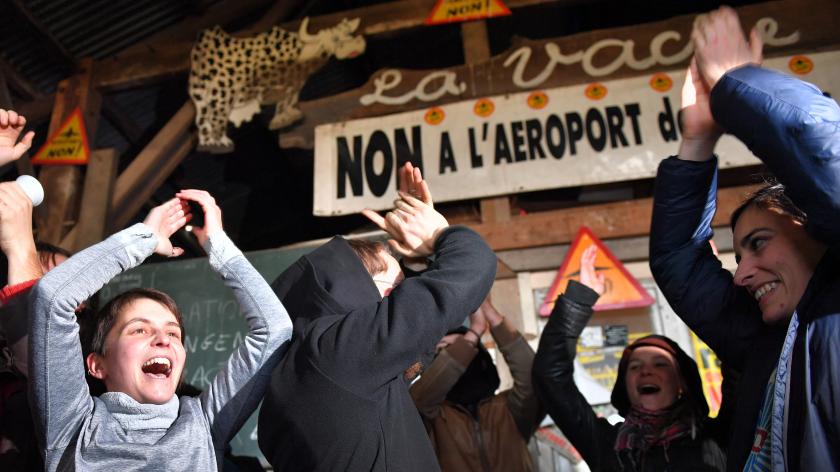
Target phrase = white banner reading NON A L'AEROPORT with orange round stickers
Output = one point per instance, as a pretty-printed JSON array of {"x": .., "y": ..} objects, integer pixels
[{"x": 564, "y": 137}]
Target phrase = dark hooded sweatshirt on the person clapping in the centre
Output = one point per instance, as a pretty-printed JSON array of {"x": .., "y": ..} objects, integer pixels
[{"x": 337, "y": 400}]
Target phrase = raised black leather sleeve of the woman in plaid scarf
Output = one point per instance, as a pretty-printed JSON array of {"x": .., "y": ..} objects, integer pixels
[{"x": 593, "y": 437}]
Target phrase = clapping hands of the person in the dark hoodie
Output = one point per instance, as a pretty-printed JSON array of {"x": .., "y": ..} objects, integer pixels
[{"x": 413, "y": 226}]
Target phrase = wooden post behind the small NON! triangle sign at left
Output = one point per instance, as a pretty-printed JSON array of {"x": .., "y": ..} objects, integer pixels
[{"x": 61, "y": 182}]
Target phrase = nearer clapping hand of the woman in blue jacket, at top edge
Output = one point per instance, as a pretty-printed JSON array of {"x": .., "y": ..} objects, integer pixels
[{"x": 720, "y": 45}]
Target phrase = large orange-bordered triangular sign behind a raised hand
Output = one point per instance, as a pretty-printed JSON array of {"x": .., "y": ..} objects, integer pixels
[{"x": 622, "y": 289}]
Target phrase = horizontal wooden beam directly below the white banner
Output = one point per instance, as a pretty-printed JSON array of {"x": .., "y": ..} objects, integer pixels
[{"x": 607, "y": 220}]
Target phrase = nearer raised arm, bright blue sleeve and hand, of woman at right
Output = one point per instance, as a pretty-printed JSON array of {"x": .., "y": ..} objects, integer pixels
[{"x": 789, "y": 124}]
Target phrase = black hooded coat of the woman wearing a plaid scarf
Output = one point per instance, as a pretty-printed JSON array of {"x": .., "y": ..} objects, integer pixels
[{"x": 594, "y": 437}]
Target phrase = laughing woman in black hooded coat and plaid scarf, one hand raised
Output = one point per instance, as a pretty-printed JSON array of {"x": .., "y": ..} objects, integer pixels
[{"x": 657, "y": 390}]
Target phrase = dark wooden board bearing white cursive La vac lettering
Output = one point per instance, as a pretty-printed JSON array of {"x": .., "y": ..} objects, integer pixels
[{"x": 812, "y": 19}]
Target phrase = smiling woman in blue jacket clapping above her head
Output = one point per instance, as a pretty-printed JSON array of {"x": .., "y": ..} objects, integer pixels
[{"x": 778, "y": 319}]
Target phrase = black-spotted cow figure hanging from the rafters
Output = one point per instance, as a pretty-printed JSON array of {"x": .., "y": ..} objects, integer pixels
[{"x": 231, "y": 77}]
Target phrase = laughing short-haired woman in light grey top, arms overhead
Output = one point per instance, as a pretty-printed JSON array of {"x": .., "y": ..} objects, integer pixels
[{"x": 138, "y": 353}]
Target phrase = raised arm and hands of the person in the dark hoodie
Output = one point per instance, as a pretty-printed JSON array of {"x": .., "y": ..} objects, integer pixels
[{"x": 416, "y": 314}]
